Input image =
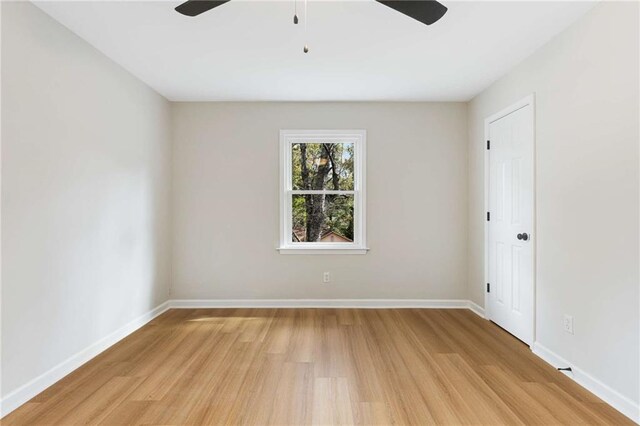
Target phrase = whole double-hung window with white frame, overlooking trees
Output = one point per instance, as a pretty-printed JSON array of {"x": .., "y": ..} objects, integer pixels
[{"x": 322, "y": 192}]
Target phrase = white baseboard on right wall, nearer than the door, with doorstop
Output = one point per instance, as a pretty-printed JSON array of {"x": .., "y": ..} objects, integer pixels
[{"x": 620, "y": 402}]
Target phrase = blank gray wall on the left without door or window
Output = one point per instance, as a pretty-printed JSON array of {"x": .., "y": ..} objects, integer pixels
[{"x": 85, "y": 195}]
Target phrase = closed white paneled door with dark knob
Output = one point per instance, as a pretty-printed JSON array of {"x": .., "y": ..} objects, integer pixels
[{"x": 510, "y": 222}]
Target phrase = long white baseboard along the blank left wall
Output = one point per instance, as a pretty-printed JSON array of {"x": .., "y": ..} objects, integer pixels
[{"x": 27, "y": 391}]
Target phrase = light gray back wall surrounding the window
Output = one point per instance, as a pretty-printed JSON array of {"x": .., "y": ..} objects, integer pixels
[{"x": 226, "y": 208}]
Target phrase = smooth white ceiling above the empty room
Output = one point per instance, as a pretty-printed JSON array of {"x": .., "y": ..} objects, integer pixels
[{"x": 360, "y": 50}]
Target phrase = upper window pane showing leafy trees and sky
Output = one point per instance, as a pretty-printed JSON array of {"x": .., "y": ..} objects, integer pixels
[{"x": 319, "y": 166}]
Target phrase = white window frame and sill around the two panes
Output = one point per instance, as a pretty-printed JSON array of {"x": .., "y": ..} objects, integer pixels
[{"x": 287, "y": 139}]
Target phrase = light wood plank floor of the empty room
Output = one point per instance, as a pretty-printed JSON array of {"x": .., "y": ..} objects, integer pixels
[{"x": 316, "y": 366}]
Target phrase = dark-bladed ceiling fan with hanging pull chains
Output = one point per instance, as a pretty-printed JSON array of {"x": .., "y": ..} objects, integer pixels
[{"x": 425, "y": 11}]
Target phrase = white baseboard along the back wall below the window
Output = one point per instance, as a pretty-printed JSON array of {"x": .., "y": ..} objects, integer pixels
[{"x": 321, "y": 303}]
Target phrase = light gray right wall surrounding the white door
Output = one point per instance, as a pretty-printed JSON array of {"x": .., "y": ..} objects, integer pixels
[{"x": 586, "y": 87}]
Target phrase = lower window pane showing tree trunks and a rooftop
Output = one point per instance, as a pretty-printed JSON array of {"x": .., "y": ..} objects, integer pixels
[{"x": 322, "y": 218}]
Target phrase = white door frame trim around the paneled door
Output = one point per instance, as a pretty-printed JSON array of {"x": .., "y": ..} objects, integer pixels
[{"x": 527, "y": 101}]
